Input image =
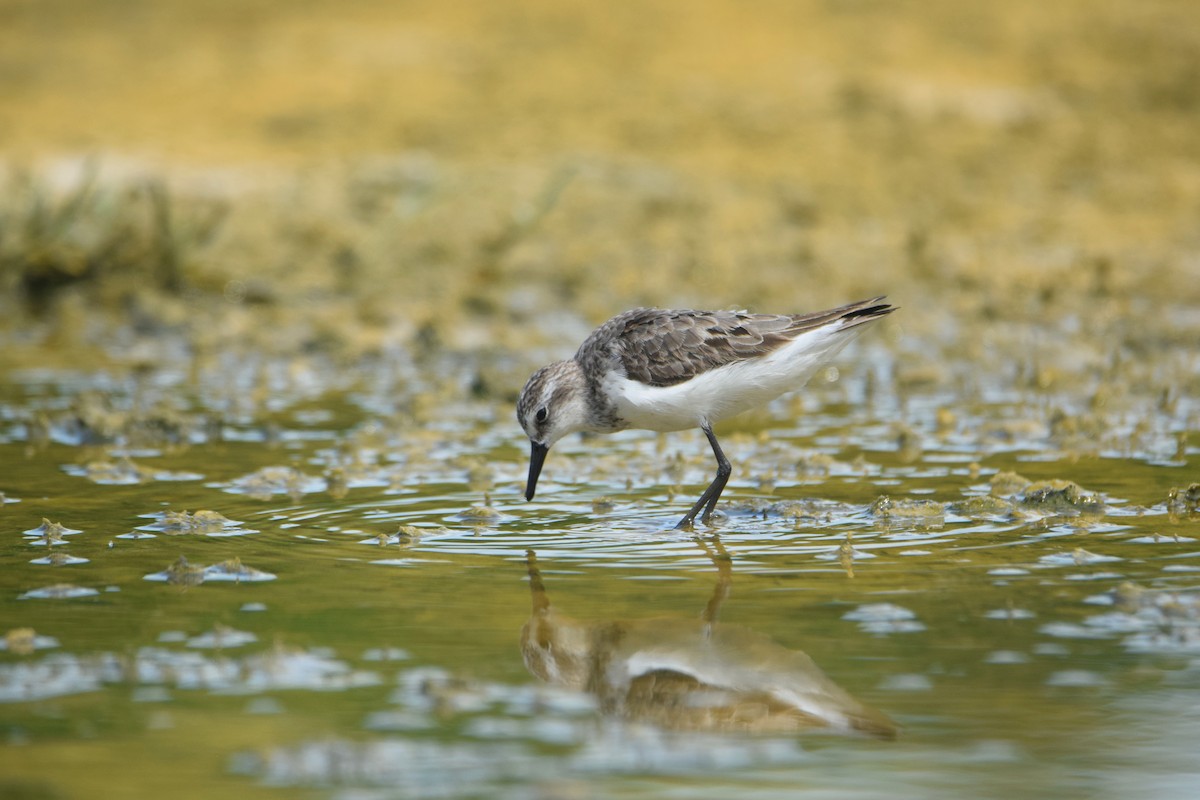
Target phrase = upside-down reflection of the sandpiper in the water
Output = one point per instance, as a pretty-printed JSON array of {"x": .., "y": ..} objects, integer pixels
[{"x": 691, "y": 675}]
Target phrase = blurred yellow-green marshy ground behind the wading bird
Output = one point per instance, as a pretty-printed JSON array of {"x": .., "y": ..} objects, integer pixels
[{"x": 362, "y": 176}]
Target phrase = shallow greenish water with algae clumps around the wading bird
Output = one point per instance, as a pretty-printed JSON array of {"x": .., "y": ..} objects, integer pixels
[{"x": 367, "y": 642}]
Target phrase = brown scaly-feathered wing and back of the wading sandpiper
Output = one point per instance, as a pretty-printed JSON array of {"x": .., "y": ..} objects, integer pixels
[{"x": 662, "y": 347}]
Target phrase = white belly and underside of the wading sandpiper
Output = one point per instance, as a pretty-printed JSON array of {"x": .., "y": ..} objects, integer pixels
[{"x": 721, "y": 394}]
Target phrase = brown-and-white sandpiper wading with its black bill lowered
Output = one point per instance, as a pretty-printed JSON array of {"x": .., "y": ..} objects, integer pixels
[{"x": 662, "y": 370}]
